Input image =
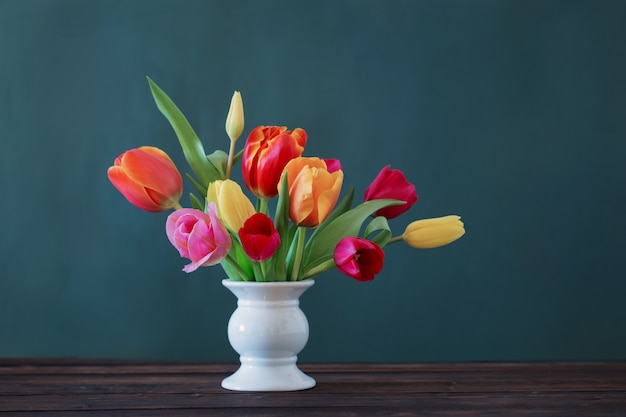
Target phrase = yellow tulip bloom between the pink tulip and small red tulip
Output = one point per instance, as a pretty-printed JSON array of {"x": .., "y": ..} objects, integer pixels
[{"x": 233, "y": 207}]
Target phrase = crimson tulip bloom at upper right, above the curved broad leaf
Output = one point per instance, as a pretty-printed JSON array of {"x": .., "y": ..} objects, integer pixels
[{"x": 391, "y": 183}]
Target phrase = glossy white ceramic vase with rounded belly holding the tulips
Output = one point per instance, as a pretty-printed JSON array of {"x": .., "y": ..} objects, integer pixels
[{"x": 268, "y": 330}]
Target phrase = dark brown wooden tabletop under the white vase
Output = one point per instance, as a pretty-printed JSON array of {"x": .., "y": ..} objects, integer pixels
[{"x": 49, "y": 388}]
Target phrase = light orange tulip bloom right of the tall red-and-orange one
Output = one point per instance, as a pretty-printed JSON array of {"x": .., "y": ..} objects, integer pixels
[{"x": 313, "y": 191}]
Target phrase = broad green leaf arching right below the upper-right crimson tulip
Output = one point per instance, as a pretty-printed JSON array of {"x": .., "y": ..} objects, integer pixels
[{"x": 321, "y": 247}]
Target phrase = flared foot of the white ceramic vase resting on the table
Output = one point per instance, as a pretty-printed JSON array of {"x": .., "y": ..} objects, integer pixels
[{"x": 268, "y": 375}]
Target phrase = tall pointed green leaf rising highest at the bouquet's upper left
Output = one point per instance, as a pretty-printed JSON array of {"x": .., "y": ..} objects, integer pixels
[{"x": 189, "y": 141}]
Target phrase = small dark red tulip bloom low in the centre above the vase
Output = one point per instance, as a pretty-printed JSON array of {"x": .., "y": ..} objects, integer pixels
[{"x": 259, "y": 238}]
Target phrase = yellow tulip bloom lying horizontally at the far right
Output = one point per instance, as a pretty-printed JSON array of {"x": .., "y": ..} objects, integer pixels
[{"x": 433, "y": 233}]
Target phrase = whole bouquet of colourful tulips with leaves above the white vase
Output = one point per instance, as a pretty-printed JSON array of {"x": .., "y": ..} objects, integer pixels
[{"x": 310, "y": 231}]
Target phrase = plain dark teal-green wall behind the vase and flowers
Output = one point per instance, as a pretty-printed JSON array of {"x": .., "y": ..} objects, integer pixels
[{"x": 509, "y": 113}]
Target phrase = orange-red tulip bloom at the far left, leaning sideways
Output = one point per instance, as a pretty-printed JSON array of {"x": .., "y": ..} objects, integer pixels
[{"x": 148, "y": 178}]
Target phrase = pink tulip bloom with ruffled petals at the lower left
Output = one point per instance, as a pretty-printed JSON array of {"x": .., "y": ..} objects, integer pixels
[{"x": 198, "y": 236}]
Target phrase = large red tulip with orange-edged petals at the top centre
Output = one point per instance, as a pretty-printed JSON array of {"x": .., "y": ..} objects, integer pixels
[{"x": 268, "y": 149}]
